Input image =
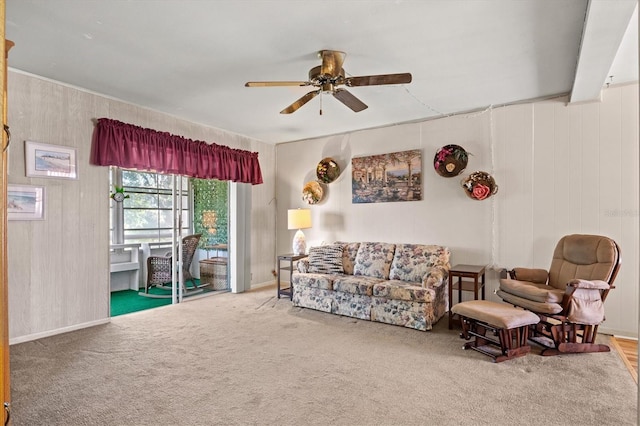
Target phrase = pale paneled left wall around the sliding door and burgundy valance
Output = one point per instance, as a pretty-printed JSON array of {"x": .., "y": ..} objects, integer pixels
[{"x": 59, "y": 267}]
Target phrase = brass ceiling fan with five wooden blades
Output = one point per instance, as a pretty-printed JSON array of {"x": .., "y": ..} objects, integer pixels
[{"x": 328, "y": 76}]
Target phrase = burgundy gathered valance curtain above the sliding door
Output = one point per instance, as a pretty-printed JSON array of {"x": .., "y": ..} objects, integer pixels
[{"x": 132, "y": 147}]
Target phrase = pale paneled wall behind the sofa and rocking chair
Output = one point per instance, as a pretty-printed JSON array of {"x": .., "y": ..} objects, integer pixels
[{"x": 560, "y": 169}]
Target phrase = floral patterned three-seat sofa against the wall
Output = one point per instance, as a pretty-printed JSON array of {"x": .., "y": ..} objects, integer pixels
[{"x": 399, "y": 284}]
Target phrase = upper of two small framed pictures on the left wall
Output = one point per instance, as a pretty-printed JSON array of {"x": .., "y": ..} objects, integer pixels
[{"x": 52, "y": 161}]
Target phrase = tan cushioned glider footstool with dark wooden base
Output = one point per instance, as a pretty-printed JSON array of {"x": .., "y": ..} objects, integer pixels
[{"x": 509, "y": 323}]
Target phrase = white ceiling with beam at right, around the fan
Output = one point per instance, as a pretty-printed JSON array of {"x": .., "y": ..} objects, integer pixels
[{"x": 191, "y": 58}]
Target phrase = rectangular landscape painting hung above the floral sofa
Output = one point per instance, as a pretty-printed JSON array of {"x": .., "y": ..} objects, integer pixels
[{"x": 387, "y": 177}]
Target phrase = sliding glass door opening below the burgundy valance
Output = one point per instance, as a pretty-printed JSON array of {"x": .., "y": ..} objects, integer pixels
[{"x": 151, "y": 214}]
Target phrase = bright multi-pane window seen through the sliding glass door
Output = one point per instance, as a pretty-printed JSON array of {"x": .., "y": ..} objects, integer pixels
[{"x": 145, "y": 215}]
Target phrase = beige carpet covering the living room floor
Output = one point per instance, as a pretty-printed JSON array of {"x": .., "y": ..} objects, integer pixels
[{"x": 236, "y": 359}]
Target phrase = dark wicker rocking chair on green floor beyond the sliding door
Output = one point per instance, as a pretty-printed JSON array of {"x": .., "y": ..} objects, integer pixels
[{"x": 159, "y": 267}]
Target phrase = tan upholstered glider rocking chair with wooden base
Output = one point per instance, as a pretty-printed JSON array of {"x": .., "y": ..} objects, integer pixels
[{"x": 569, "y": 298}]
